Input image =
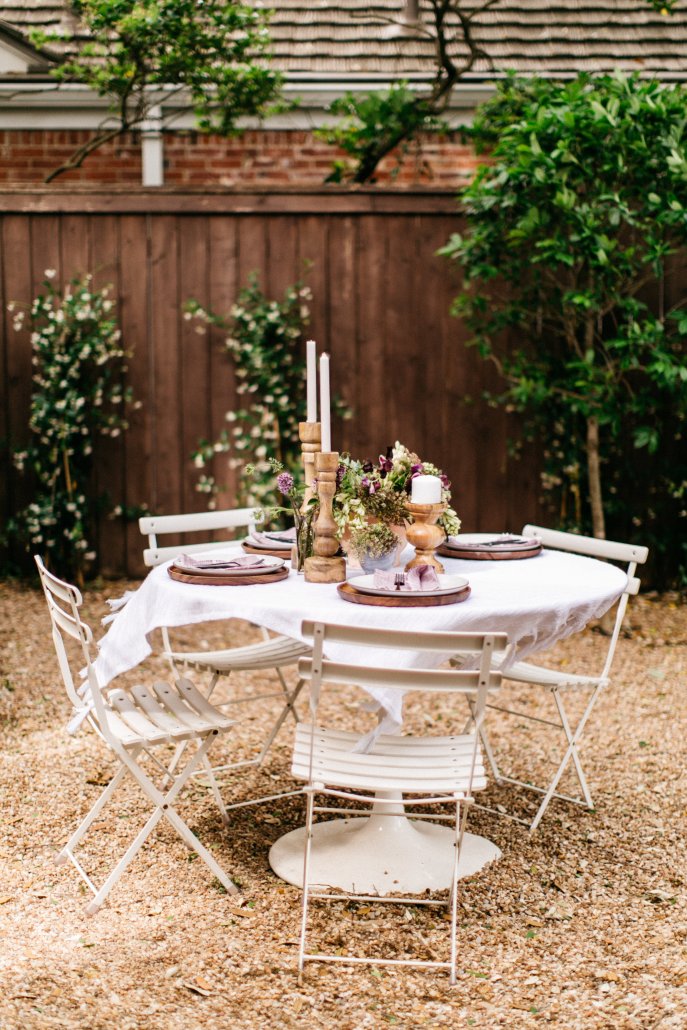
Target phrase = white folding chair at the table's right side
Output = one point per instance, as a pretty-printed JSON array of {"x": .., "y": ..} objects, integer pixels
[{"x": 559, "y": 682}]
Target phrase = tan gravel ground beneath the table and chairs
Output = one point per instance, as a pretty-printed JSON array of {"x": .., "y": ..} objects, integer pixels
[{"x": 581, "y": 925}]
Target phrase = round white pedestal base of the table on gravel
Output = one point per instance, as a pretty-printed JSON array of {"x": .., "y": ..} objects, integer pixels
[{"x": 380, "y": 855}]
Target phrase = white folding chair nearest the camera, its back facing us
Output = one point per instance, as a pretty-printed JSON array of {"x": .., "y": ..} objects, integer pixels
[{"x": 435, "y": 771}]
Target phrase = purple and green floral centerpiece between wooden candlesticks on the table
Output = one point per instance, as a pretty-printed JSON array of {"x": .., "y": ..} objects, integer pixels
[{"x": 381, "y": 493}]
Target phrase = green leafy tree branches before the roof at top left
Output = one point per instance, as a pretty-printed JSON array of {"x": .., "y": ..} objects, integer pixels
[{"x": 209, "y": 57}]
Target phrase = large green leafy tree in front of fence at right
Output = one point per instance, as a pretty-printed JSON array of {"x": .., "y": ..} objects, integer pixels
[{"x": 582, "y": 209}]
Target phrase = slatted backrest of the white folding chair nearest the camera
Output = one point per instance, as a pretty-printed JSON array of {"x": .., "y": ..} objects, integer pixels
[{"x": 482, "y": 648}]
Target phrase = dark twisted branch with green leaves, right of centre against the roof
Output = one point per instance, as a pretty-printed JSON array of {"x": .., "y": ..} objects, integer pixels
[{"x": 372, "y": 126}]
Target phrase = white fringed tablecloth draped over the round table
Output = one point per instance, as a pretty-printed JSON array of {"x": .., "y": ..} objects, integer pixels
[{"x": 537, "y": 602}]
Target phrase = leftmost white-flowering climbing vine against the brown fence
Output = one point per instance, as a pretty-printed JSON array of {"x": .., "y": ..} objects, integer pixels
[{"x": 79, "y": 395}]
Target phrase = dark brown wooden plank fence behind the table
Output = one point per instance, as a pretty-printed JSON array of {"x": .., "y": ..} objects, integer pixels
[{"x": 381, "y": 306}]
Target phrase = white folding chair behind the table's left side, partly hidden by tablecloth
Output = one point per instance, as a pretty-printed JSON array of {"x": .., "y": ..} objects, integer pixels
[{"x": 271, "y": 654}]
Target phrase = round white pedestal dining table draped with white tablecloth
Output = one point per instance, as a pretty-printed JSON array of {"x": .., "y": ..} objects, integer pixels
[{"x": 537, "y": 602}]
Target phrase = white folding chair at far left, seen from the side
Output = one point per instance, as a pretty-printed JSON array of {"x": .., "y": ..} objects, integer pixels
[{"x": 133, "y": 724}]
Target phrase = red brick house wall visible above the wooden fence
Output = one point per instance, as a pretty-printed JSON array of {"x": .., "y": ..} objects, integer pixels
[{"x": 257, "y": 158}]
